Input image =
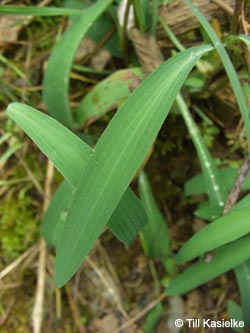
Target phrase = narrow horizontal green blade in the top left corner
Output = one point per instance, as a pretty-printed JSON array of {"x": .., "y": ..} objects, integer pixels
[{"x": 36, "y": 11}]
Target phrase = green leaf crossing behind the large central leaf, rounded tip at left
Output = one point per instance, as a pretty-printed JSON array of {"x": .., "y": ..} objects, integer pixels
[{"x": 70, "y": 156}]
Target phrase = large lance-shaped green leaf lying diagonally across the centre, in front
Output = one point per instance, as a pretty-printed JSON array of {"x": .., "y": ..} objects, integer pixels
[{"x": 118, "y": 155}]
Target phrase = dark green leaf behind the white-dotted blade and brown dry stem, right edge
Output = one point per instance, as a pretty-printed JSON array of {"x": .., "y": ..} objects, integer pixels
[{"x": 196, "y": 185}]
